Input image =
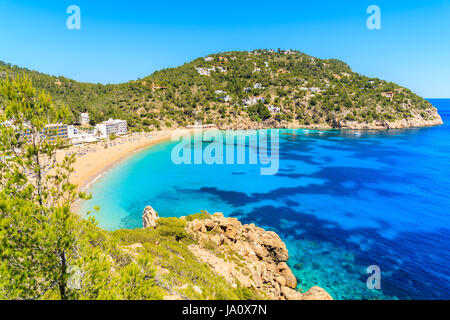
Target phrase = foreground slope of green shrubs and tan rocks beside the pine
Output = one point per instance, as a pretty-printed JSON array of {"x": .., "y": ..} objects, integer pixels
[{"x": 177, "y": 259}]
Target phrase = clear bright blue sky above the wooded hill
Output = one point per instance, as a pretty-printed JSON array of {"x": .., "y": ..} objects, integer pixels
[{"x": 121, "y": 41}]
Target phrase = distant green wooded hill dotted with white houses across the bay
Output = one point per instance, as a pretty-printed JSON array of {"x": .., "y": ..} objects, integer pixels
[{"x": 242, "y": 90}]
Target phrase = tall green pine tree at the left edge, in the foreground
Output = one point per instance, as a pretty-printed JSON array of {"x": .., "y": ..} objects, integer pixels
[{"x": 37, "y": 230}]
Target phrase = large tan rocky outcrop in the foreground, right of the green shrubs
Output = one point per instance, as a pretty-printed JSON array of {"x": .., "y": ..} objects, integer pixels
[{"x": 247, "y": 255}]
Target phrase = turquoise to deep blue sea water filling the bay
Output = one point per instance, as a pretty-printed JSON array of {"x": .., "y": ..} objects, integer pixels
[{"x": 342, "y": 201}]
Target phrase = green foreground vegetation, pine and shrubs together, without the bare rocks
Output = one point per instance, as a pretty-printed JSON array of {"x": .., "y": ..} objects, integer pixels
[{"x": 48, "y": 252}]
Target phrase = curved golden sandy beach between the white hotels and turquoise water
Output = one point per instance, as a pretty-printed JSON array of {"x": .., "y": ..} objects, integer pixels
[{"x": 94, "y": 159}]
